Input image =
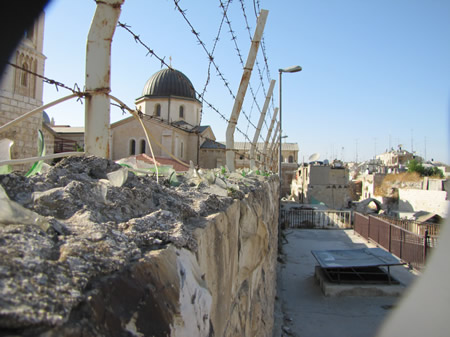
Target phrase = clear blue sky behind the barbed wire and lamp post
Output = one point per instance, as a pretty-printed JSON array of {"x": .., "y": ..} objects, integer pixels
[{"x": 376, "y": 74}]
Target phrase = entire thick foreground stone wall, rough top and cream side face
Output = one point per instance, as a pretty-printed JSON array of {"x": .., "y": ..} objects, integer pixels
[{"x": 144, "y": 259}]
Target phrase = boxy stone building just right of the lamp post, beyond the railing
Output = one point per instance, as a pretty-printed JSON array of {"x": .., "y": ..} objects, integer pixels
[{"x": 319, "y": 183}]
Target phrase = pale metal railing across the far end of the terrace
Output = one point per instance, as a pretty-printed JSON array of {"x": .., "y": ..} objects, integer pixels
[{"x": 305, "y": 218}]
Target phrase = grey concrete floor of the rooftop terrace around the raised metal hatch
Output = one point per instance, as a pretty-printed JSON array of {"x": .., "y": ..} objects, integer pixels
[{"x": 302, "y": 310}]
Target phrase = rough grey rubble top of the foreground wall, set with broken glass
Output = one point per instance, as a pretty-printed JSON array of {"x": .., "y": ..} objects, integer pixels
[{"x": 90, "y": 228}]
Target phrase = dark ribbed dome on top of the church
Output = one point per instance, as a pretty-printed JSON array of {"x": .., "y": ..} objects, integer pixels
[{"x": 169, "y": 82}]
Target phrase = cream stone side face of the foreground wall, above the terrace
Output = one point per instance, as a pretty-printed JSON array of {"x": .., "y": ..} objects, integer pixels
[{"x": 226, "y": 287}]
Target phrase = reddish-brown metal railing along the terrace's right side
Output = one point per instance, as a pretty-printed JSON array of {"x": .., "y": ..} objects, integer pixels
[{"x": 408, "y": 246}]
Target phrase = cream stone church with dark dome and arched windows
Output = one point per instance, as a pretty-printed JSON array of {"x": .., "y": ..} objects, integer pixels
[{"x": 171, "y": 112}]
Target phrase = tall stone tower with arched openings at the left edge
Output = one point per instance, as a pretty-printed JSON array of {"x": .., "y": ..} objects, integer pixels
[{"x": 21, "y": 92}]
